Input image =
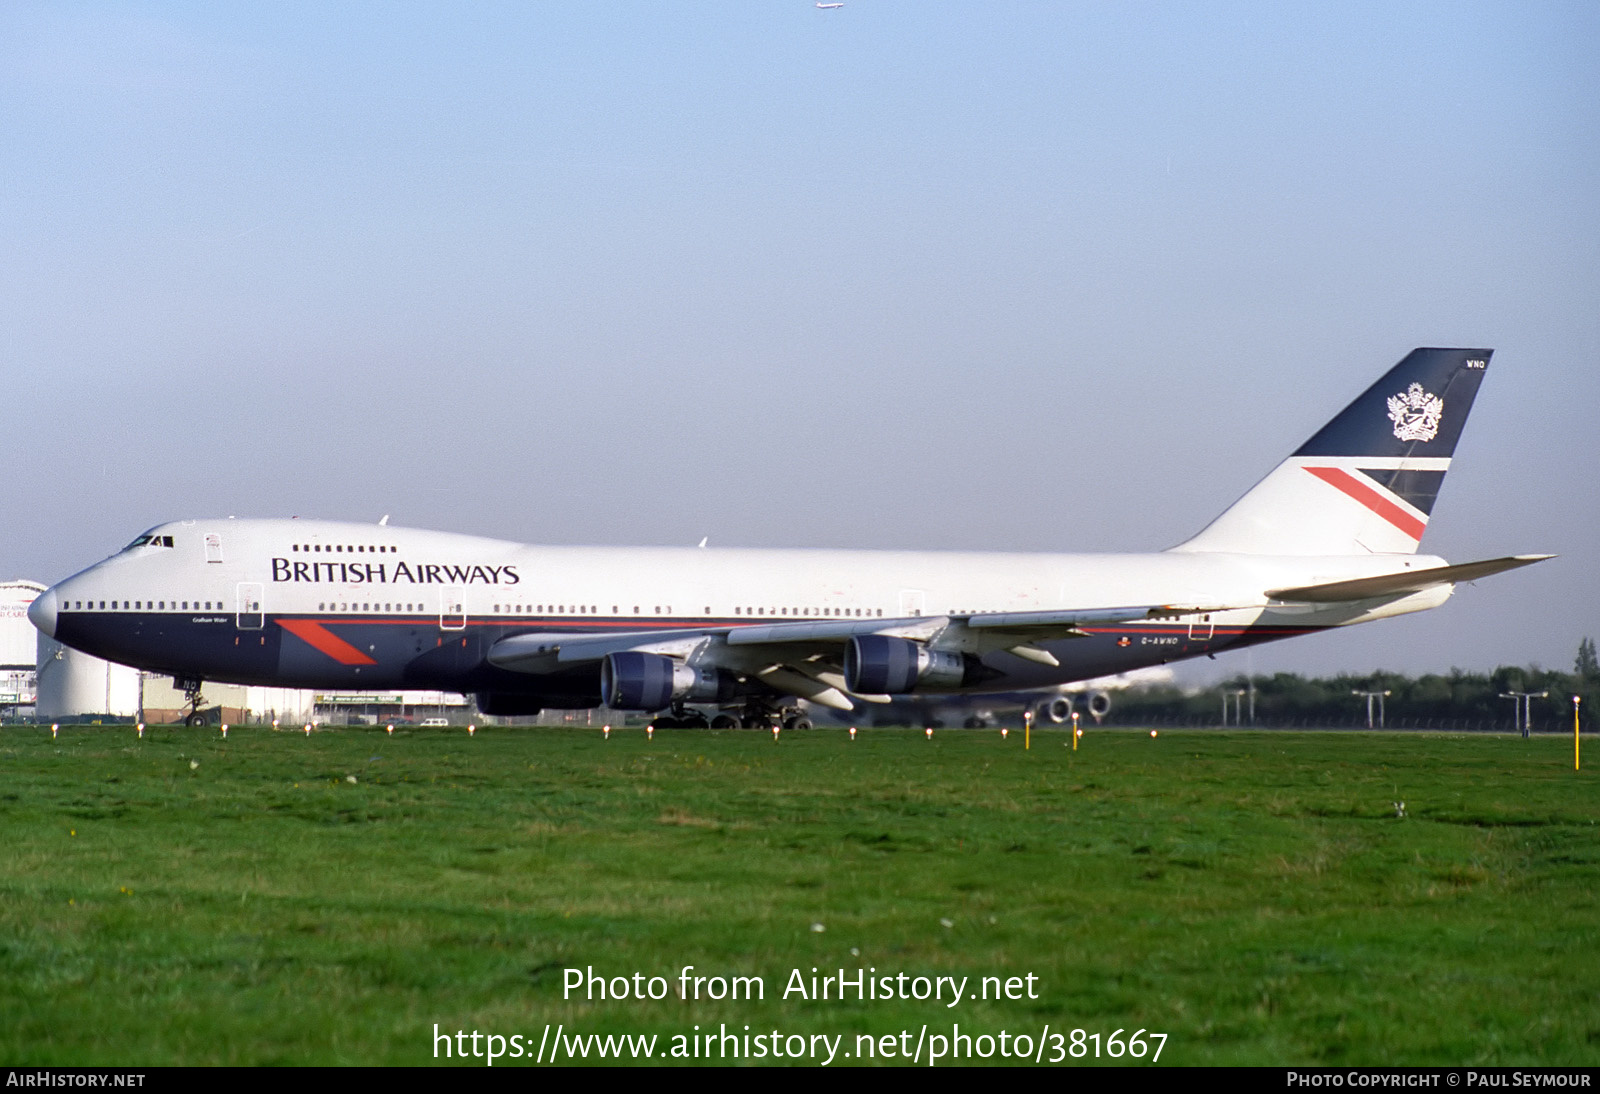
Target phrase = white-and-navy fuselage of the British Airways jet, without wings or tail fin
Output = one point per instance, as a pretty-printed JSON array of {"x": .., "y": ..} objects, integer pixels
[{"x": 322, "y": 604}]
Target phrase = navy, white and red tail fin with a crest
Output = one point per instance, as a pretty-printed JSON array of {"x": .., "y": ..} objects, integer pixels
[{"x": 1369, "y": 479}]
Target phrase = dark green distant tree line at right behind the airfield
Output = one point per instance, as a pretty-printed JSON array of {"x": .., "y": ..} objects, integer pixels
[{"x": 1450, "y": 701}]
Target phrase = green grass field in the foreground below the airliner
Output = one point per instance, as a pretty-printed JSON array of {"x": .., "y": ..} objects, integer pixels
[{"x": 287, "y": 900}]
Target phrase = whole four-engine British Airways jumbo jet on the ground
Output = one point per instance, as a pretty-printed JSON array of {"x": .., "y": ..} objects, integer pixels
[{"x": 1327, "y": 540}]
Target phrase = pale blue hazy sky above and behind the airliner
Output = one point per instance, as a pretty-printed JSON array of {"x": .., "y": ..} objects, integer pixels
[{"x": 903, "y": 274}]
